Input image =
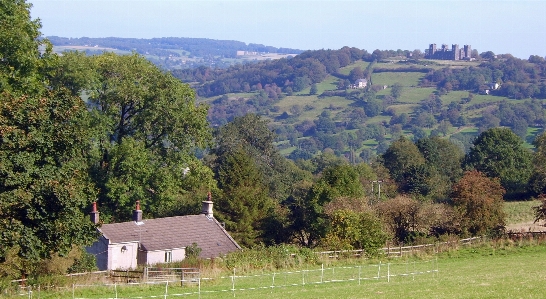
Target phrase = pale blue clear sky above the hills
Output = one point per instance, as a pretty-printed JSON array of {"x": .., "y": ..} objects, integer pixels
[{"x": 515, "y": 27}]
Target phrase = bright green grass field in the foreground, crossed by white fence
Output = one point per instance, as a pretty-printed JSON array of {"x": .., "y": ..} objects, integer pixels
[{"x": 490, "y": 270}]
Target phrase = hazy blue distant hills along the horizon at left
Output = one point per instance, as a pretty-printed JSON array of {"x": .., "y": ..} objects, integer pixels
[{"x": 176, "y": 52}]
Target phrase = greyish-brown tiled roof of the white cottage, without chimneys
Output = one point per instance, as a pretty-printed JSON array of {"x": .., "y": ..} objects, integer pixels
[{"x": 174, "y": 232}]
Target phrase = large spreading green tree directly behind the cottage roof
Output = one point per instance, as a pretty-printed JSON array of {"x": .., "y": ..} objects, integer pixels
[{"x": 146, "y": 127}]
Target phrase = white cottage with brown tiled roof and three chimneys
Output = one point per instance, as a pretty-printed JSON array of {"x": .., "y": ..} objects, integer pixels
[{"x": 145, "y": 242}]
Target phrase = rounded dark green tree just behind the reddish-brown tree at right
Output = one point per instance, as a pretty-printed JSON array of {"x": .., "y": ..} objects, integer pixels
[{"x": 499, "y": 153}]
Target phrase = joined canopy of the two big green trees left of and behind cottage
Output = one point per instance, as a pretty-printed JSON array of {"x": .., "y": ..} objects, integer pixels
[{"x": 133, "y": 138}]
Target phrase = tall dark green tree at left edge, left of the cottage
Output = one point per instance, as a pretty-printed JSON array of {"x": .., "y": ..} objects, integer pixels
[{"x": 44, "y": 189}]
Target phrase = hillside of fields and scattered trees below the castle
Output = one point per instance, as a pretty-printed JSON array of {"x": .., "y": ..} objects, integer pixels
[{"x": 313, "y": 104}]
